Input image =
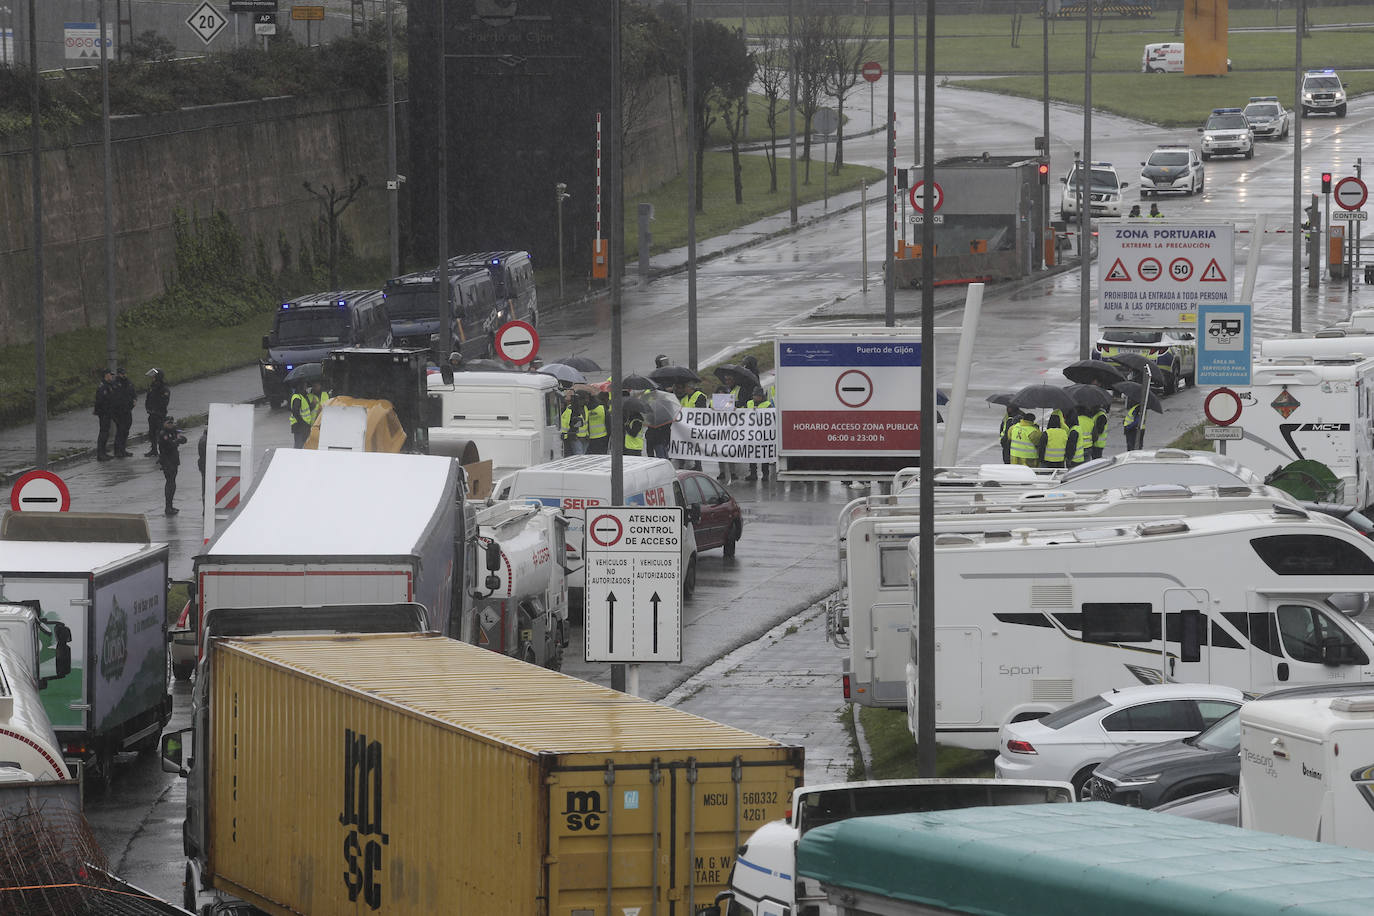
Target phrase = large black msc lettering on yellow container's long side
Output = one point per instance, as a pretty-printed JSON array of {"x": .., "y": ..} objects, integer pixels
[{"x": 363, "y": 814}]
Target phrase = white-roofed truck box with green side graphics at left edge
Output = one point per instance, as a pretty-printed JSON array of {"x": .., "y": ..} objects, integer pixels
[{"x": 113, "y": 601}]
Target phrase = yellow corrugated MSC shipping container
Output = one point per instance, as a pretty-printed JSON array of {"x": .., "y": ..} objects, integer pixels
[{"x": 421, "y": 775}]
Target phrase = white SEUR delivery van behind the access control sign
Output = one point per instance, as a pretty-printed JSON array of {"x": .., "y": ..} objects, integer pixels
[{"x": 575, "y": 484}]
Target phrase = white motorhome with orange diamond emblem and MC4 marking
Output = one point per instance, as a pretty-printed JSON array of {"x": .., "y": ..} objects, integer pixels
[{"x": 1310, "y": 400}]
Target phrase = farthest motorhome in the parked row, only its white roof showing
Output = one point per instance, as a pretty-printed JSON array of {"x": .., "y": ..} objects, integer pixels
[{"x": 1127, "y": 469}]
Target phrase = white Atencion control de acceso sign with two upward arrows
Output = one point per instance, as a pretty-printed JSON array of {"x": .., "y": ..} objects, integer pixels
[{"x": 633, "y": 562}]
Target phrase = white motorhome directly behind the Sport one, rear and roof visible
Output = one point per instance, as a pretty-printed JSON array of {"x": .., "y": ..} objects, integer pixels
[{"x": 873, "y": 610}]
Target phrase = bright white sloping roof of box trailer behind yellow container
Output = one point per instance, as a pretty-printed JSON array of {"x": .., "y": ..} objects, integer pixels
[{"x": 339, "y": 505}]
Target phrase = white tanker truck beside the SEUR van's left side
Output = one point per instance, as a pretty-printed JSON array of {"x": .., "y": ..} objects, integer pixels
[{"x": 523, "y": 610}]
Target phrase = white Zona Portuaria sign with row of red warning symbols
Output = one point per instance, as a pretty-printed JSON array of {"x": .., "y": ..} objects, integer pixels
[{"x": 1159, "y": 275}]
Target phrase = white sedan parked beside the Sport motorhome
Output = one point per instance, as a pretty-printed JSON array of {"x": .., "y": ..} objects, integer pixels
[{"x": 1070, "y": 744}]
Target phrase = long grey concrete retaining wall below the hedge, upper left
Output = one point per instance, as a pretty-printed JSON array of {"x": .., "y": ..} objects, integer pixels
[{"x": 249, "y": 160}]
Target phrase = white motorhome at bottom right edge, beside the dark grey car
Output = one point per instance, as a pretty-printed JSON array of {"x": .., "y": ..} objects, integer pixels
[{"x": 1307, "y": 767}]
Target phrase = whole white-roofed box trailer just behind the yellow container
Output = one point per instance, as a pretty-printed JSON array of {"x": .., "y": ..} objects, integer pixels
[{"x": 344, "y": 528}]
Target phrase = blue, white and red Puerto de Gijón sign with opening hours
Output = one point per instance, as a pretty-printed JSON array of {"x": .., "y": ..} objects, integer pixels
[{"x": 850, "y": 396}]
